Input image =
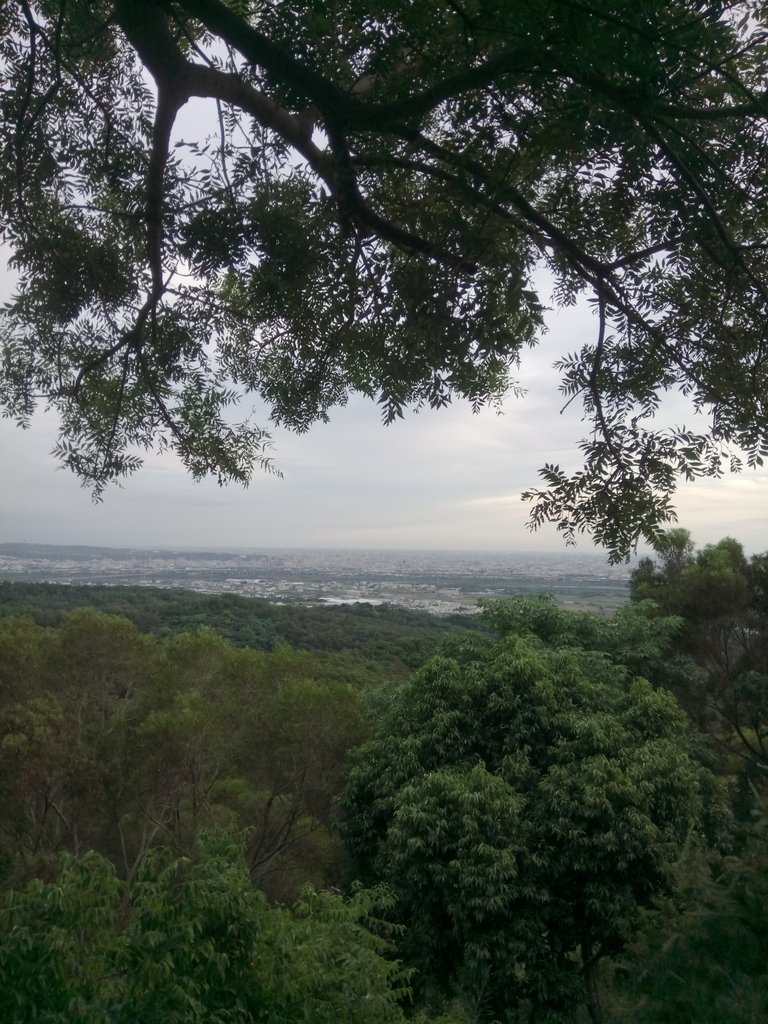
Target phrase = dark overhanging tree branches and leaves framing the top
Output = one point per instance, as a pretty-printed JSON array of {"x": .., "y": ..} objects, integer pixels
[{"x": 379, "y": 188}]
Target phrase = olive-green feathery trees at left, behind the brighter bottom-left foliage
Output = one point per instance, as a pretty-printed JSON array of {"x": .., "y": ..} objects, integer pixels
[{"x": 117, "y": 743}]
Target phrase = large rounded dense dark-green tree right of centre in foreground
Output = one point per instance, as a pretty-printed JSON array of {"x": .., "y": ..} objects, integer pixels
[{"x": 523, "y": 803}]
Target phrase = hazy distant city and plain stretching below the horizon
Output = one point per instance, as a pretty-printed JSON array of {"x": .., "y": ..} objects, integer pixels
[{"x": 437, "y": 582}]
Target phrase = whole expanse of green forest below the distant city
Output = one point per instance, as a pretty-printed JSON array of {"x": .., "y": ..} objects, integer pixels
[{"x": 557, "y": 818}]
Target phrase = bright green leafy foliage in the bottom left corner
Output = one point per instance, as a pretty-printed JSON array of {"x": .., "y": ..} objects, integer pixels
[{"x": 191, "y": 941}]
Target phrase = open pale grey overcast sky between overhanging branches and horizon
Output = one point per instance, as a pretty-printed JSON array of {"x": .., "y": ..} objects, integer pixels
[{"x": 440, "y": 481}]
